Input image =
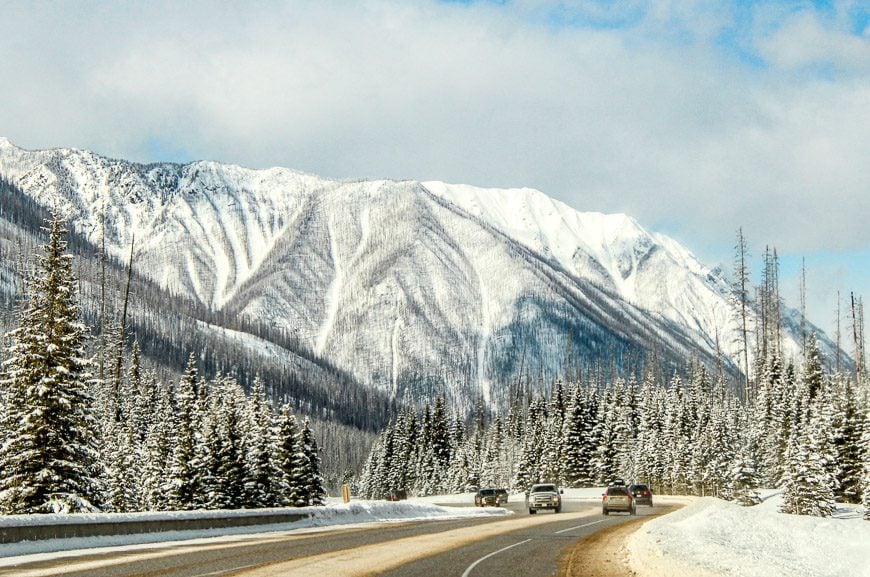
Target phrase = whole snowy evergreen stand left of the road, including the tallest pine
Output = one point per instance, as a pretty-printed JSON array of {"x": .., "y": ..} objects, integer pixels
[{"x": 73, "y": 441}]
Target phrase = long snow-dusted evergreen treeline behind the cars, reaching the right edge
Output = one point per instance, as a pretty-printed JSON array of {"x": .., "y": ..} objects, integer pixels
[{"x": 804, "y": 429}]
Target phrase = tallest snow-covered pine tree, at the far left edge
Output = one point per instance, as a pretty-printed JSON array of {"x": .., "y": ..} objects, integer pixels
[{"x": 49, "y": 461}]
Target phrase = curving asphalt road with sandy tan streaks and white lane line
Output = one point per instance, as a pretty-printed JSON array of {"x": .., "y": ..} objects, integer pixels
[{"x": 520, "y": 544}]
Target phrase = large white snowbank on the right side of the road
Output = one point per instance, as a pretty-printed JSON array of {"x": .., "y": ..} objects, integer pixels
[{"x": 714, "y": 537}]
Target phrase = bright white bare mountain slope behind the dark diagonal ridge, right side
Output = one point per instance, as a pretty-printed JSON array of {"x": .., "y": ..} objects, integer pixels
[{"x": 651, "y": 271}]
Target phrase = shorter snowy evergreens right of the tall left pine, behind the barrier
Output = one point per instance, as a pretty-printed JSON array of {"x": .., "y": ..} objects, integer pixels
[{"x": 203, "y": 444}]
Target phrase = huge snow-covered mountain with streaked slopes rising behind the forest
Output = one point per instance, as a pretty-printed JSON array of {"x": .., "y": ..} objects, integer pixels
[{"x": 411, "y": 287}]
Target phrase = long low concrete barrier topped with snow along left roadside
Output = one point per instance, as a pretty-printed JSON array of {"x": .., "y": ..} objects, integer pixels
[{"x": 54, "y": 527}]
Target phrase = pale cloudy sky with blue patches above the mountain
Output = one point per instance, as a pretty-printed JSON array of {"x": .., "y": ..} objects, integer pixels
[{"x": 696, "y": 118}]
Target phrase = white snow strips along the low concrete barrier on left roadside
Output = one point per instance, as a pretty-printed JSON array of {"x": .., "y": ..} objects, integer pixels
[{"x": 333, "y": 516}]
